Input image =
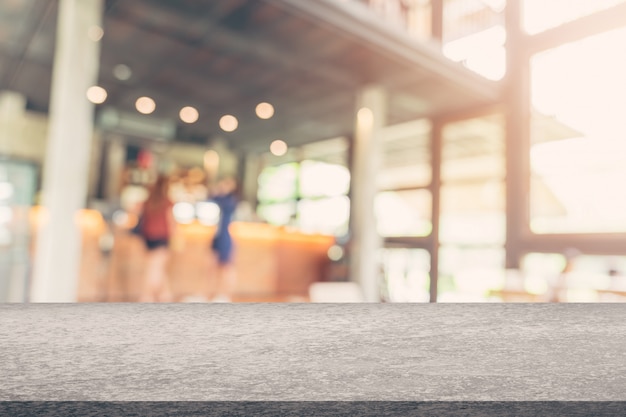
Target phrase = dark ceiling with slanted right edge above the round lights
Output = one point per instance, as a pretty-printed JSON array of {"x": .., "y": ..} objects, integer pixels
[{"x": 308, "y": 58}]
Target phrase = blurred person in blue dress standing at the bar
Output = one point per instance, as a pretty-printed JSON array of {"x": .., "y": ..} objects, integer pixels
[{"x": 224, "y": 195}]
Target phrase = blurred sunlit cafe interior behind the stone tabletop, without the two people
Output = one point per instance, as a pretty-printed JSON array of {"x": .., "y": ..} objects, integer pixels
[{"x": 385, "y": 150}]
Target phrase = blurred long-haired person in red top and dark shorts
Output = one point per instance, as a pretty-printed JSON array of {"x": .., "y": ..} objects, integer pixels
[{"x": 157, "y": 225}]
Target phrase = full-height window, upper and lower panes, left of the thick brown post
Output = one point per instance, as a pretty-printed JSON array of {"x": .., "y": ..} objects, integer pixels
[{"x": 472, "y": 218}]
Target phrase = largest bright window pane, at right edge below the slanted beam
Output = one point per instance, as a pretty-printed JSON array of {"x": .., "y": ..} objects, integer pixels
[{"x": 578, "y": 154}]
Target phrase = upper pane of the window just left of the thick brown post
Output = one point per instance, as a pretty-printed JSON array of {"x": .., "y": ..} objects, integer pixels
[{"x": 472, "y": 177}]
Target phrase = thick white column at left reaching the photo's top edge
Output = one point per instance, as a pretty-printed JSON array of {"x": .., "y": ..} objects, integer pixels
[{"x": 65, "y": 180}]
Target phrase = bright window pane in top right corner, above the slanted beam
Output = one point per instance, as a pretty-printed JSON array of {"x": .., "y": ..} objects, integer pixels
[{"x": 540, "y": 15}]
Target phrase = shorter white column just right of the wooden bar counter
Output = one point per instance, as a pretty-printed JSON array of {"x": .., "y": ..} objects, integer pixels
[{"x": 365, "y": 241}]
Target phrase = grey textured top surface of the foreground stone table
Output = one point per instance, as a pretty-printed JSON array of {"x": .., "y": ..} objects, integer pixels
[{"x": 313, "y": 352}]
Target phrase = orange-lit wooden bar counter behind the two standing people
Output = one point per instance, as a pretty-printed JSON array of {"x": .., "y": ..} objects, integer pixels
[{"x": 268, "y": 261}]
